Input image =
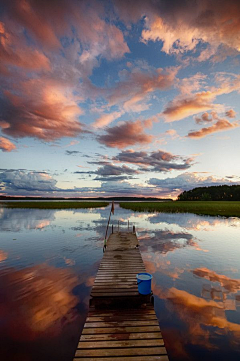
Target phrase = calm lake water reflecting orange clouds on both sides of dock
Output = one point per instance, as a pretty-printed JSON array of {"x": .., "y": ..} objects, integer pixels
[{"x": 49, "y": 259}]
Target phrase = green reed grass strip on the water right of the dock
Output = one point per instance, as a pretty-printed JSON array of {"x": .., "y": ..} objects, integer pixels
[{"x": 211, "y": 208}]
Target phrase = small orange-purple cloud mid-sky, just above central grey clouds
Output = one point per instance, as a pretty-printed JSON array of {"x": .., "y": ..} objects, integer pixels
[{"x": 125, "y": 134}]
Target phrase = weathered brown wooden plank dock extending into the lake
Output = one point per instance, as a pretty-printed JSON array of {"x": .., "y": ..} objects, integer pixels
[{"x": 121, "y": 324}]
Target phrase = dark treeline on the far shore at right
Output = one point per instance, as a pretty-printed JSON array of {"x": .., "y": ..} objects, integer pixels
[{"x": 214, "y": 193}]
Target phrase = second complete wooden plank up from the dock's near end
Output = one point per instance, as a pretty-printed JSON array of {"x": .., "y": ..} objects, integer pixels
[{"x": 119, "y": 344}]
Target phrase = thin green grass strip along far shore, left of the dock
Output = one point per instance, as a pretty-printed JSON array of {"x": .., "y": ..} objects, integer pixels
[{"x": 53, "y": 205}]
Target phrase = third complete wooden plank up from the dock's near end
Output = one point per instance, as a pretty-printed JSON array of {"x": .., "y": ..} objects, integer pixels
[{"x": 122, "y": 336}]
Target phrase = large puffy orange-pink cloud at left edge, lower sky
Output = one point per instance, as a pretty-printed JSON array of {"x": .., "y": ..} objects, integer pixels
[{"x": 40, "y": 109}]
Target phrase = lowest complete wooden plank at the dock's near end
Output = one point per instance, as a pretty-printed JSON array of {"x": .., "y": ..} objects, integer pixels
[{"x": 132, "y": 351}]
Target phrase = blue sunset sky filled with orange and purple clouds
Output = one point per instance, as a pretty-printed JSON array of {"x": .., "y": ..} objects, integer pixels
[{"x": 118, "y": 98}]
